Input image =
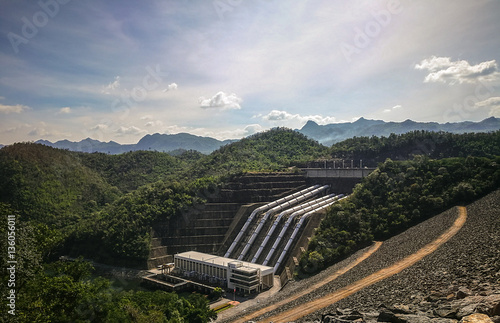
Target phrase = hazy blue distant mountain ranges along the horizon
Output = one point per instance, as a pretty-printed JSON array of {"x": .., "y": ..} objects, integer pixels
[{"x": 325, "y": 134}]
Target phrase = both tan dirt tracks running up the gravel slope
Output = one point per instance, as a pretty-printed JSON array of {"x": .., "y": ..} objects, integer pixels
[{"x": 325, "y": 301}]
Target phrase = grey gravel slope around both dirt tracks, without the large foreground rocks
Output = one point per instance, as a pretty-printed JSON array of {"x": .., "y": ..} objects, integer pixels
[{"x": 470, "y": 259}]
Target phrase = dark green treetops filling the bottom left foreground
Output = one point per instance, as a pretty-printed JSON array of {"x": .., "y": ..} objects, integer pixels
[{"x": 66, "y": 291}]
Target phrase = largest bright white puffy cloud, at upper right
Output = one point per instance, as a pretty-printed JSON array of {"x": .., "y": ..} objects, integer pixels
[{"x": 442, "y": 69}]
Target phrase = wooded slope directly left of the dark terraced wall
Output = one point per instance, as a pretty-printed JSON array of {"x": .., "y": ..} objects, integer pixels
[{"x": 120, "y": 233}]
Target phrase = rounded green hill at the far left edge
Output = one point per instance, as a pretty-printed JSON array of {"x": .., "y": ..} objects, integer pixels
[{"x": 51, "y": 186}]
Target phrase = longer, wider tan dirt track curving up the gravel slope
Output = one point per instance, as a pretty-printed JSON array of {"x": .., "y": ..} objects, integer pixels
[{"x": 313, "y": 306}]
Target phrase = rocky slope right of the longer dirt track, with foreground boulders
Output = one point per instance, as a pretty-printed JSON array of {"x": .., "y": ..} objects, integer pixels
[{"x": 461, "y": 278}]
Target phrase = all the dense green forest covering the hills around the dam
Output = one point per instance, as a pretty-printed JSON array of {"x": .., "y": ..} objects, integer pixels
[{"x": 102, "y": 207}]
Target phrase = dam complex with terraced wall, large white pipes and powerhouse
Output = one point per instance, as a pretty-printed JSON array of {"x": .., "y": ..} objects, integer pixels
[{"x": 254, "y": 227}]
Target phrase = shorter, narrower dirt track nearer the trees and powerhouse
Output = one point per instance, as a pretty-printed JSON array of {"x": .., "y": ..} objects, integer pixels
[{"x": 314, "y": 287}]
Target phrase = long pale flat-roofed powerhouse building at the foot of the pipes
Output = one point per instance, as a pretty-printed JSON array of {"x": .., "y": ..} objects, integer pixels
[{"x": 242, "y": 276}]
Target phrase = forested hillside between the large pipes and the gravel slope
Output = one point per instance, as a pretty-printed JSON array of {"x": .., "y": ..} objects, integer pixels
[{"x": 396, "y": 196}]
